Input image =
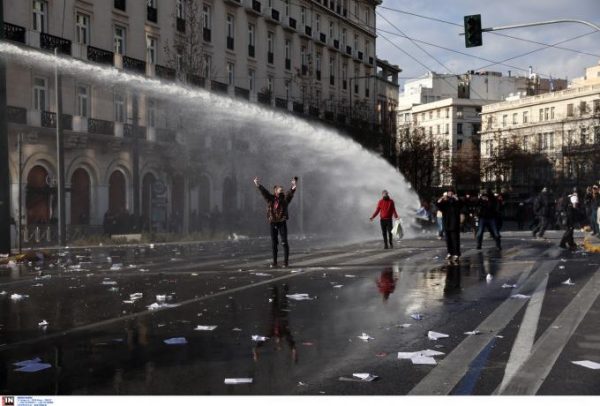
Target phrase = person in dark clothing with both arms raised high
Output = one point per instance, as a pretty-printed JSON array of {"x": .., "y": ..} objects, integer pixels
[{"x": 277, "y": 214}]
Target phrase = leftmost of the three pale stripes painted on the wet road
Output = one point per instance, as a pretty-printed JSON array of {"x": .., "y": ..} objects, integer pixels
[{"x": 444, "y": 377}]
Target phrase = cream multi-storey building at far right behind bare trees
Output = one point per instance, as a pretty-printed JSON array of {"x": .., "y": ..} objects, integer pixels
[{"x": 556, "y": 134}]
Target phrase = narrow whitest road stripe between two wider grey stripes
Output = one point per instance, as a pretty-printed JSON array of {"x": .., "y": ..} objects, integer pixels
[{"x": 523, "y": 344}]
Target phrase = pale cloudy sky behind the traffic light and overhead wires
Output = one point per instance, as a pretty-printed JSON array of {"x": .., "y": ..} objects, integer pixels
[{"x": 559, "y": 63}]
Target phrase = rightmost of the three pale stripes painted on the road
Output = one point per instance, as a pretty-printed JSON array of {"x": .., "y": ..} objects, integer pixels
[{"x": 530, "y": 377}]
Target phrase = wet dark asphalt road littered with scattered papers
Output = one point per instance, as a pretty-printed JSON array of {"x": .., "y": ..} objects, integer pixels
[{"x": 98, "y": 343}]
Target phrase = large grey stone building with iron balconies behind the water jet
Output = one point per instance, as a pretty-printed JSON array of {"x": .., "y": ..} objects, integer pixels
[{"x": 298, "y": 56}]
